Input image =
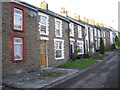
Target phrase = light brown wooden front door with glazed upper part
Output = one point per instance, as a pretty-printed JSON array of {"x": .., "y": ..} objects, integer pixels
[{"x": 43, "y": 61}]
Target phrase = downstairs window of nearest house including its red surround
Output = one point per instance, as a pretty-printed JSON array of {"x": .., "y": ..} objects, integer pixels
[{"x": 18, "y": 47}]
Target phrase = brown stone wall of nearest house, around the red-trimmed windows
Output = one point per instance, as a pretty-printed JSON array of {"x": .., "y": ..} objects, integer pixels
[{"x": 31, "y": 45}]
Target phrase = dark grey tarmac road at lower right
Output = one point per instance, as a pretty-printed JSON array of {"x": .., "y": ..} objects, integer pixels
[{"x": 104, "y": 75}]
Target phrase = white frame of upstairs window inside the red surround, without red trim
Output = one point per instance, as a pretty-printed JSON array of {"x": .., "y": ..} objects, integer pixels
[{"x": 18, "y": 15}]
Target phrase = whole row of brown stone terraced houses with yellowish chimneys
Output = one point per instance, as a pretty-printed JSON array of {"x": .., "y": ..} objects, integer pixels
[{"x": 37, "y": 37}]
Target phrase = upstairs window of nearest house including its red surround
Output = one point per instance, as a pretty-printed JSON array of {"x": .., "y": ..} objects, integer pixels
[{"x": 18, "y": 17}]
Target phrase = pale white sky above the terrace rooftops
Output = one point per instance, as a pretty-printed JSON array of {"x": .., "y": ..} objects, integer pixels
[{"x": 103, "y": 11}]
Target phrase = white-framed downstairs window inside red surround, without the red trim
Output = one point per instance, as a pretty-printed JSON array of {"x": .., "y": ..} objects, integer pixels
[{"x": 18, "y": 48}]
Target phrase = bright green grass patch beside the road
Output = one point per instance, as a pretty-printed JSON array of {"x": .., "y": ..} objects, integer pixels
[{"x": 78, "y": 64}]
